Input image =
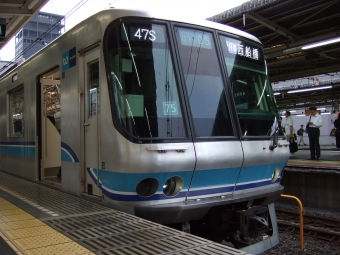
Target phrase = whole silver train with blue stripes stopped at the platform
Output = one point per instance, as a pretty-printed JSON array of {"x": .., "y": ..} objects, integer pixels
[{"x": 168, "y": 119}]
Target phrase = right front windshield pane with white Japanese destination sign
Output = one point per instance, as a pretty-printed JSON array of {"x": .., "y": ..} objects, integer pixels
[{"x": 253, "y": 95}]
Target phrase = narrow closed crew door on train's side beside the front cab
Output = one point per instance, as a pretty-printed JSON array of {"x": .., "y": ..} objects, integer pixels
[{"x": 91, "y": 123}]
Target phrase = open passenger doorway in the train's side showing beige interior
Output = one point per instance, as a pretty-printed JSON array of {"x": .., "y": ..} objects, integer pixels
[{"x": 50, "y": 146}]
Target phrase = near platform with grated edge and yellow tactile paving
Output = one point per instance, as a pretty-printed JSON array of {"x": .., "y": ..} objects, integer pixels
[{"x": 39, "y": 220}]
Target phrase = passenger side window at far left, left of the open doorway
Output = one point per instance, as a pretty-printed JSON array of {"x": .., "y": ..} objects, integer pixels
[{"x": 16, "y": 112}]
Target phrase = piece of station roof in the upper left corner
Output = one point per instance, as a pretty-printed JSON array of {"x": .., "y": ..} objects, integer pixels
[{"x": 17, "y": 13}]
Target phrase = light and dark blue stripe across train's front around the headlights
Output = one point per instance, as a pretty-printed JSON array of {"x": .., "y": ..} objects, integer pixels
[{"x": 114, "y": 184}]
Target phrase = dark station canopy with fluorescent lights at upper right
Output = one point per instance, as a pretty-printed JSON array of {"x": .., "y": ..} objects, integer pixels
[{"x": 284, "y": 26}]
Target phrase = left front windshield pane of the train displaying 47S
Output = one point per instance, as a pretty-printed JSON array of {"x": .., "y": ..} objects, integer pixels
[{"x": 143, "y": 85}]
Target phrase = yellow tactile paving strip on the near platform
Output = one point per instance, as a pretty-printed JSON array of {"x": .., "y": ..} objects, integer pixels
[{"x": 28, "y": 235}]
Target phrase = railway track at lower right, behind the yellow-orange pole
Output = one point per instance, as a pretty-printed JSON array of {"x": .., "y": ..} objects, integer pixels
[{"x": 315, "y": 226}]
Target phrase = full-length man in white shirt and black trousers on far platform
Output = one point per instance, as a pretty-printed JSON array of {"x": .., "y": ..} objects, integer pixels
[{"x": 314, "y": 124}]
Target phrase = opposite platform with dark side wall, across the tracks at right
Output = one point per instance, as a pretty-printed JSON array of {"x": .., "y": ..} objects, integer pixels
[{"x": 314, "y": 182}]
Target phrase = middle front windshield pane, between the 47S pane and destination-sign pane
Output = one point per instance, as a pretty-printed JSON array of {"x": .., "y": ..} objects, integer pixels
[{"x": 204, "y": 83}]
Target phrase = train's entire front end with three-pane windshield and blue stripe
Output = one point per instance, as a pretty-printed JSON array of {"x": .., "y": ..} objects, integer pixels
[{"x": 195, "y": 121}]
